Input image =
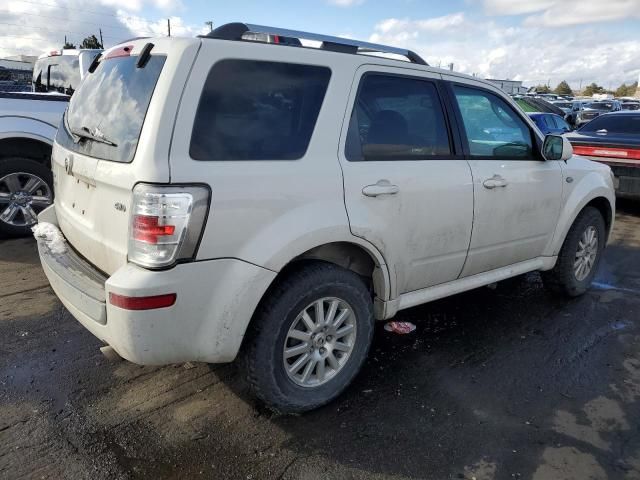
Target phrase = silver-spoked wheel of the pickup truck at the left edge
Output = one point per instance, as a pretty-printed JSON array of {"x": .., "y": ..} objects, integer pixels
[{"x": 26, "y": 188}]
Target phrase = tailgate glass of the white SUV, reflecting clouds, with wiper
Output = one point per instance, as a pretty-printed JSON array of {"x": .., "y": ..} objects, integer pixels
[{"x": 106, "y": 114}]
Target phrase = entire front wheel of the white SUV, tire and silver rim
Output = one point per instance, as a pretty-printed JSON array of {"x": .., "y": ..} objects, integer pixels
[{"x": 580, "y": 255}]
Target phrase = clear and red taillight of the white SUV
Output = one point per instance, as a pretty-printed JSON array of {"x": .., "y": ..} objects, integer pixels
[{"x": 166, "y": 223}]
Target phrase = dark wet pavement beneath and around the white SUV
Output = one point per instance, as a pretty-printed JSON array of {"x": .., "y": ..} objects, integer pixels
[{"x": 501, "y": 383}]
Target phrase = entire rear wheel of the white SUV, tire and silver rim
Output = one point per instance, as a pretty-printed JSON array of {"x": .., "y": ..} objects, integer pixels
[{"x": 309, "y": 338}]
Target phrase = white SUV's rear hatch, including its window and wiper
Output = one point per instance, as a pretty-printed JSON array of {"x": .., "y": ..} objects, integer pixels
[{"x": 116, "y": 133}]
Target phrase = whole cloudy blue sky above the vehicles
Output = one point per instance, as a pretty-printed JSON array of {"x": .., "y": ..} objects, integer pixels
[{"x": 537, "y": 41}]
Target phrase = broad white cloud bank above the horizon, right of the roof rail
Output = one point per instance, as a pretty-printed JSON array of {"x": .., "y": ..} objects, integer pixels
[{"x": 491, "y": 50}]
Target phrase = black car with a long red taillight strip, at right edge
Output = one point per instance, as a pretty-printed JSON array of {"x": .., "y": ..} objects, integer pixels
[{"x": 614, "y": 139}]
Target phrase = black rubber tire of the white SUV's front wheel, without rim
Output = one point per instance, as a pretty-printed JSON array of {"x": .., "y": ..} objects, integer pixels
[{"x": 562, "y": 279}]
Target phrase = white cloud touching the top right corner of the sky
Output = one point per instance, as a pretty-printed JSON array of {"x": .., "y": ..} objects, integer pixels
[{"x": 560, "y": 13}]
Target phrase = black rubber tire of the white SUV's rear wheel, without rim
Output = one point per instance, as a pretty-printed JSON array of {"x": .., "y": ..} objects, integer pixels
[{"x": 263, "y": 357}]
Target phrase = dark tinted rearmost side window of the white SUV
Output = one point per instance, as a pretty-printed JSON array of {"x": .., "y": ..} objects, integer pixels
[{"x": 254, "y": 110}]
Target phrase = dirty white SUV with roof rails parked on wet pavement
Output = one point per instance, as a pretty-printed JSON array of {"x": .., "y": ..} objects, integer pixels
[{"x": 226, "y": 196}]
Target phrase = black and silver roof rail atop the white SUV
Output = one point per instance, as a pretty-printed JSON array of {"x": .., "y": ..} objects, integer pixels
[{"x": 235, "y": 31}]
